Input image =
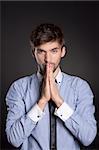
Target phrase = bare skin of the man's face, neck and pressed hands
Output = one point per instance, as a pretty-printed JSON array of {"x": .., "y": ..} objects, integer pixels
[{"x": 48, "y": 57}]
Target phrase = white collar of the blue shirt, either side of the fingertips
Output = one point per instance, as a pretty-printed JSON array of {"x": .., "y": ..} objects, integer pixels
[{"x": 58, "y": 77}]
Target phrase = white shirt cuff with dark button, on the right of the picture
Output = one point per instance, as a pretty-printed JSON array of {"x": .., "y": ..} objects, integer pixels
[{"x": 64, "y": 111}]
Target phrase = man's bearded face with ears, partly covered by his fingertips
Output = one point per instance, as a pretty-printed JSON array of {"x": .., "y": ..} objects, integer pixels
[{"x": 50, "y": 53}]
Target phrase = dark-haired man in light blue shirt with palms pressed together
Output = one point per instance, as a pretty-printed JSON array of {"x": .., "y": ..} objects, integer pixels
[{"x": 50, "y": 110}]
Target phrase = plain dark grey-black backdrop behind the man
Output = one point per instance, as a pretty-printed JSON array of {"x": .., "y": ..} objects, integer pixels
[{"x": 80, "y": 23}]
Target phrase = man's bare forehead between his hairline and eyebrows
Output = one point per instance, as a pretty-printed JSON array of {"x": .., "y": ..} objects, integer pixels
[{"x": 49, "y": 45}]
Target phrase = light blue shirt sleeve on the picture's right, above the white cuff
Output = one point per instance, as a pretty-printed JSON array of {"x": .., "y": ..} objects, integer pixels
[{"x": 82, "y": 123}]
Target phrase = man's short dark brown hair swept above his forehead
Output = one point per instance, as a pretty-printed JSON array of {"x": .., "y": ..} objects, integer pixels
[{"x": 45, "y": 33}]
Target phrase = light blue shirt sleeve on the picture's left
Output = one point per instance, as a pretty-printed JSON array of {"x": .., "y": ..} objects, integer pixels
[{"x": 19, "y": 125}]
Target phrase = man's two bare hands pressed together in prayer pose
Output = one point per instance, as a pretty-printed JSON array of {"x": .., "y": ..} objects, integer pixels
[{"x": 49, "y": 89}]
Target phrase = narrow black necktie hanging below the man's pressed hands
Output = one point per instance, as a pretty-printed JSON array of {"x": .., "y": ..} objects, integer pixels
[{"x": 52, "y": 125}]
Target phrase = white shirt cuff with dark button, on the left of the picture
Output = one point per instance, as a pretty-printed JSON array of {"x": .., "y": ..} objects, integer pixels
[{"x": 35, "y": 113}]
